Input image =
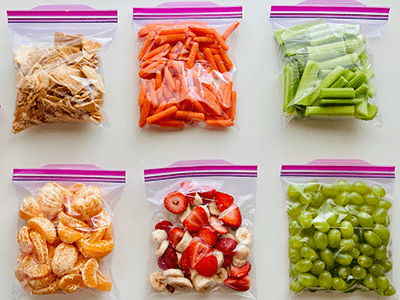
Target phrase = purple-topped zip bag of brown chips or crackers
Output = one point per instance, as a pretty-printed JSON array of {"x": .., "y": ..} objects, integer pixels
[{"x": 58, "y": 52}]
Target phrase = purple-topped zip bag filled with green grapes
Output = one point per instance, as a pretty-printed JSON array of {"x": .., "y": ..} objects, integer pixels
[{"x": 339, "y": 237}]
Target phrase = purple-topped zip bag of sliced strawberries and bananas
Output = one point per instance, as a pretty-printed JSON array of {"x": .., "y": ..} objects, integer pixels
[{"x": 201, "y": 229}]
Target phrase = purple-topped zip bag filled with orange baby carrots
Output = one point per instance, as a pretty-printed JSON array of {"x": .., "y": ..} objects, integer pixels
[{"x": 186, "y": 65}]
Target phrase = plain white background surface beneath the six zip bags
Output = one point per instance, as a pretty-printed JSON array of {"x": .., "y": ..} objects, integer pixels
[{"x": 260, "y": 140}]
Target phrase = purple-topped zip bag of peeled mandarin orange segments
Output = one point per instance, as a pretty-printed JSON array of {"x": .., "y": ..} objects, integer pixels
[{"x": 65, "y": 231}]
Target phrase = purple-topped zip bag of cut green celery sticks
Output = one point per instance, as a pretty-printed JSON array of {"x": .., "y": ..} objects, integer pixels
[{"x": 324, "y": 52}]
